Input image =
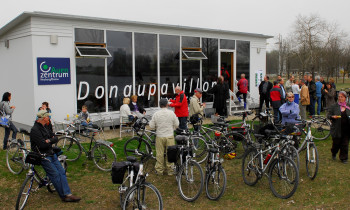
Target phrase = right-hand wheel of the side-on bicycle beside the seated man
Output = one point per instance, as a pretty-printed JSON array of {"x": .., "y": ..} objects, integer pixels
[{"x": 103, "y": 156}]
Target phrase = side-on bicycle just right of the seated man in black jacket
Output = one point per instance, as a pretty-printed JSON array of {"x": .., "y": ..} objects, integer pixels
[{"x": 100, "y": 151}]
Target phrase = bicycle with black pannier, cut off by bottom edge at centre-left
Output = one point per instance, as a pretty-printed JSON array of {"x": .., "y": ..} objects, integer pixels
[{"x": 135, "y": 192}]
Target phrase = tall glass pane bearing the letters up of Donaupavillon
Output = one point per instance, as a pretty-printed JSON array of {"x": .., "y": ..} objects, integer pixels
[{"x": 146, "y": 69}]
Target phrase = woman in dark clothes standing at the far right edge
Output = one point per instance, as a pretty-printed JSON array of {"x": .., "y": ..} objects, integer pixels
[{"x": 339, "y": 114}]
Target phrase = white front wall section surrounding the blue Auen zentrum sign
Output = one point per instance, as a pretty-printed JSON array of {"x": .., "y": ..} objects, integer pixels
[{"x": 61, "y": 98}]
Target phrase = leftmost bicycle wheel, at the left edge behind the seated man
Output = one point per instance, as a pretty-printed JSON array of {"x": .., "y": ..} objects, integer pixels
[{"x": 14, "y": 158}]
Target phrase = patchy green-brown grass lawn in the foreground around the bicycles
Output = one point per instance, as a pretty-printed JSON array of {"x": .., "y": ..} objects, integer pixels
[{"x": 329, "y": 190}]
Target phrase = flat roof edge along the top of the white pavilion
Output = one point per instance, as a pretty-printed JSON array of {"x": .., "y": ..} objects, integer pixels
[{"x": 26, "y": 15}]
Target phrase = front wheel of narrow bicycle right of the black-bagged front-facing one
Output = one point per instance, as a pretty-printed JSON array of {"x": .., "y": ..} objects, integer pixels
[{"x": 215, "y": 183}]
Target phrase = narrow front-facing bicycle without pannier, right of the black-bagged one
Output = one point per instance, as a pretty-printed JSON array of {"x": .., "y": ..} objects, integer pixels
[{"x": 215, "y": 181}]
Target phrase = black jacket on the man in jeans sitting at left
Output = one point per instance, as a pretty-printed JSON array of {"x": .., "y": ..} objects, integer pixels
[{"x": 38, "y": 136}]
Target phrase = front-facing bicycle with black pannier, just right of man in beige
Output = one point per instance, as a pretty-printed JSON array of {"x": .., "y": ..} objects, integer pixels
[{"x": 188, "y": 173}]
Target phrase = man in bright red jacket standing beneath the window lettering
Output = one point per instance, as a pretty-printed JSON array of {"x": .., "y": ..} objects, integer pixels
[{"x": 181, "y": 107}]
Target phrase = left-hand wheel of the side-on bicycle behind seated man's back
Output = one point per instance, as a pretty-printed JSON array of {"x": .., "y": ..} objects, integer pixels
[{"x": 70, "y": 148}]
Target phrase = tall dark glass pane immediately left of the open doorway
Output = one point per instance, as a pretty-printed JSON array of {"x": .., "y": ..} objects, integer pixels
[{"x": 209, "y": 66}]
